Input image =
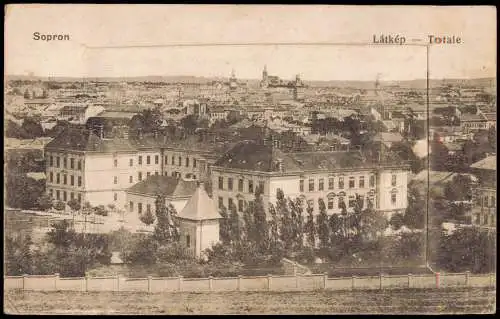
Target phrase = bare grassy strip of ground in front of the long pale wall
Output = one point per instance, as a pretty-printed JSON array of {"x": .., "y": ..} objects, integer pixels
[{"x": 456, "y": 300}]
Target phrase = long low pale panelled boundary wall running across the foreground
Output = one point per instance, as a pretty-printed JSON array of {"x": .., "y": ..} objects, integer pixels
[{"x": 298, "y": 282}]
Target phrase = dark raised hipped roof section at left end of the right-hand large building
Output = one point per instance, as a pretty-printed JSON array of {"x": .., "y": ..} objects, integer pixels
[{"x": 249, "y": 155}]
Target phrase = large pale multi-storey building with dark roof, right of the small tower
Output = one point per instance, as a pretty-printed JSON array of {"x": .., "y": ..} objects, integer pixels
[{"x": 334, "y": 177}]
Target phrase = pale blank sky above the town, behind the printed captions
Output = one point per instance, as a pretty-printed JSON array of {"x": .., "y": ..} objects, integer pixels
[{"x": 124, "y": 26}]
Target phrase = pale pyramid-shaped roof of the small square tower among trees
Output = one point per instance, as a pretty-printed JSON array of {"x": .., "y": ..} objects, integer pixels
[{"x": 199, "y": 207}]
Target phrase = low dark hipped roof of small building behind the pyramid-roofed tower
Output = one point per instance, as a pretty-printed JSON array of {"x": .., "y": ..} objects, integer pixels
[{"x": 168, "y": 186}]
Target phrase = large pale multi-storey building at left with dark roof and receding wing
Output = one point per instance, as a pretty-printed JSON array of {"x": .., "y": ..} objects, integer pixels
[{"x": 81, "y": 165}]
